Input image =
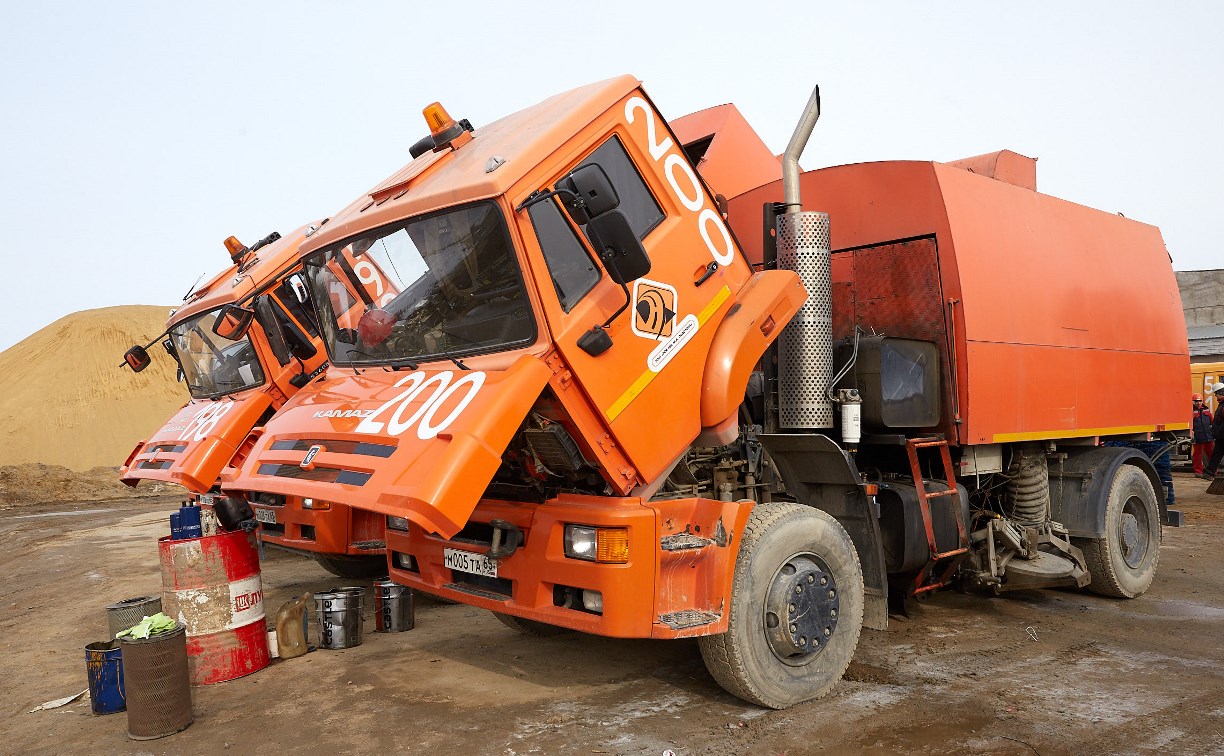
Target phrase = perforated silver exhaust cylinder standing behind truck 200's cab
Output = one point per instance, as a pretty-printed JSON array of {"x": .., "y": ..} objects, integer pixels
[{"x": 806, "y": 346}]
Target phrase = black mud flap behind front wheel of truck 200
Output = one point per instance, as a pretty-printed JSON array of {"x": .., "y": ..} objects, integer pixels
[{"x": 819, "y": 474}]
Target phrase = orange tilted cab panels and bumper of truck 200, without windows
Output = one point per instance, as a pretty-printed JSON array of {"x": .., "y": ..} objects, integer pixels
[{"x": 425, "y": 443}]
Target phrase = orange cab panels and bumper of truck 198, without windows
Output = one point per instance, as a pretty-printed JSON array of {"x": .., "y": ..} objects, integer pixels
[{"x": 203, "y": 437}]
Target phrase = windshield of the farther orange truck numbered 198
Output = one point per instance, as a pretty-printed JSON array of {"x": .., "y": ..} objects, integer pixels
[{"x": 212, "y": 365}]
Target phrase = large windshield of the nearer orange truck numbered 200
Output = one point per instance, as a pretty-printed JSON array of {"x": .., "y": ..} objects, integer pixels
[{"x": 447, "y": 284}]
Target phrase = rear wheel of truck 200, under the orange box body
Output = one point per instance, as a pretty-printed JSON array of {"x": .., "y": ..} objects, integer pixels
[{"x": 1123, "y": 563}]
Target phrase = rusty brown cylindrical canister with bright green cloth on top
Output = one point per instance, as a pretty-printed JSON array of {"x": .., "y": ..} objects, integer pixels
[{"x": 157, "y": 684}]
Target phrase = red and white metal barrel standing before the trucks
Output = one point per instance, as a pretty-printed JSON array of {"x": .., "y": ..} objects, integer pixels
[{"x": 212, "y": 587}]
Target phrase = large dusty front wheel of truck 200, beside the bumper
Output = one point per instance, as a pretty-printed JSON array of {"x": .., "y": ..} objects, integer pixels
[{"x": 796, "y": 609}]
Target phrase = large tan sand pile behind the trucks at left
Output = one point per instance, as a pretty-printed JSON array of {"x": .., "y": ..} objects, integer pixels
[{"x": 64, "y": 401}]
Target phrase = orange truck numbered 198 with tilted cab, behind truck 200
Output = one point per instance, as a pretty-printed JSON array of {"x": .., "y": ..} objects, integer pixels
[{"x": 238, "y": 384}]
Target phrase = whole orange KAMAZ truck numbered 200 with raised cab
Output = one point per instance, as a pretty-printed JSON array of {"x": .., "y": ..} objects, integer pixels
[{"x": 624, "y": 390}]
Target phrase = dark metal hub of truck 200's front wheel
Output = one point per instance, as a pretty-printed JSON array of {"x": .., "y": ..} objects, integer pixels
[{"x": 801, "y": 610}]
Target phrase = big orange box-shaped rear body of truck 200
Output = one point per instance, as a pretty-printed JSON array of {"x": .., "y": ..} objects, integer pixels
[{"x": 1047, "y": 298}]
